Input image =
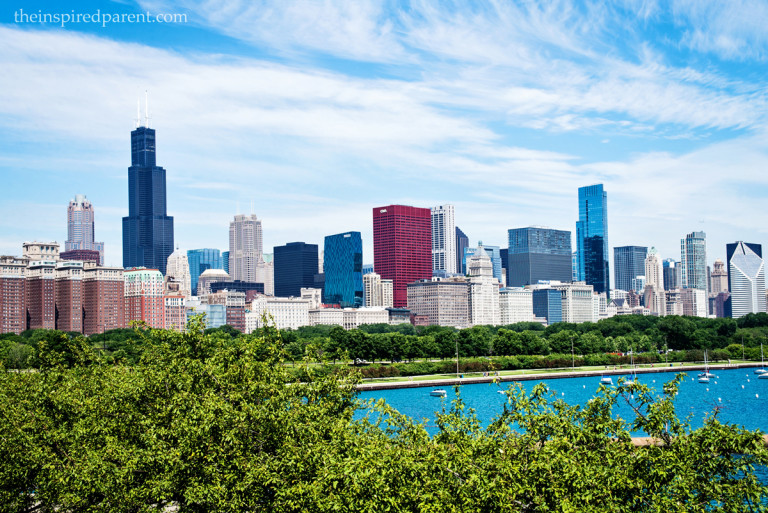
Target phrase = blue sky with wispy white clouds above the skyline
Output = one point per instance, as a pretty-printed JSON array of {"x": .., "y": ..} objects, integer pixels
[{"x": 316, "y": 112}]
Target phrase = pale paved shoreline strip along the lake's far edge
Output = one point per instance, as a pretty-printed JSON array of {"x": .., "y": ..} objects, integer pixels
[{"x": 538, "y": 376}]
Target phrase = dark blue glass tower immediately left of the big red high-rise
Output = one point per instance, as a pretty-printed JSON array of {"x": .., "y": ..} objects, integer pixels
[{"x": 343, "y": 266}]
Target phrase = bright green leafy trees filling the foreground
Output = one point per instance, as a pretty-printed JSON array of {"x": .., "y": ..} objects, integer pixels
[{"x": 211, "y": 422}]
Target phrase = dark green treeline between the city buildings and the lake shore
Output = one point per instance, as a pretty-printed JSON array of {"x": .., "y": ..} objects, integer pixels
[{"x": 404, "y": 342}]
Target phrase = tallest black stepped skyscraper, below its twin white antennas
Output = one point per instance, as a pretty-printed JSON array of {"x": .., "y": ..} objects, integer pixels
[{"x": 148, "y": 230}]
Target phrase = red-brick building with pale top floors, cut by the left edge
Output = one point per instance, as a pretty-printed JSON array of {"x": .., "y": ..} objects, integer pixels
[{"x": 13, "y": 294}]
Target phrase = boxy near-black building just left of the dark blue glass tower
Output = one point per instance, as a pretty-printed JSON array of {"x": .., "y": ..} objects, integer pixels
[{"x": 295, "y": 267}]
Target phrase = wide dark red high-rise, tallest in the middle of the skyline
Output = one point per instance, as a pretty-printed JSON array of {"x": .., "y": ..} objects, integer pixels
[{"x": 402, "y": 247}]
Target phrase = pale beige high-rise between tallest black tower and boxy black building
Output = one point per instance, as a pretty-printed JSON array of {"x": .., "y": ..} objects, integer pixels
[{"x": 245, "y": 247}]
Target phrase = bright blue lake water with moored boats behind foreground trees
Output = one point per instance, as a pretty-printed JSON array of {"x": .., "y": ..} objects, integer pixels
[{"x": 741, "y": 396}]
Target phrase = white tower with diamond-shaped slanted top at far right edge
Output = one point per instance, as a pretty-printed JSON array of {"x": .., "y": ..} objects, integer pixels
[{"x": 746, "y": 279}]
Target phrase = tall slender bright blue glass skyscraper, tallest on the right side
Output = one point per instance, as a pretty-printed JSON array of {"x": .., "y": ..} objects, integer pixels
[{"x": 592, "y": 238}]
